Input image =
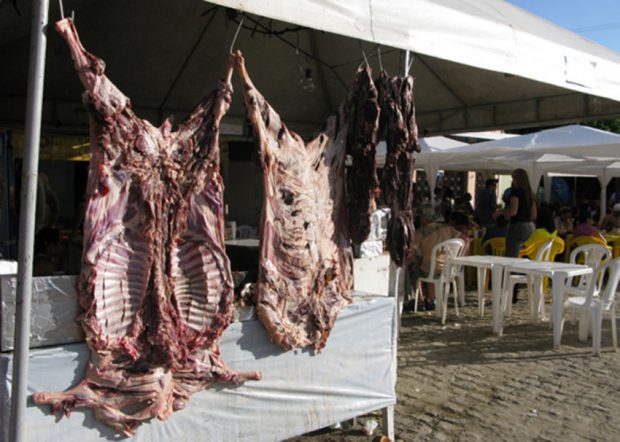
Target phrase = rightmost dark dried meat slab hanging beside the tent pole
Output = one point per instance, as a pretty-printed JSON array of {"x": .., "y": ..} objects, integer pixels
[{"x": 398, "y": 125}]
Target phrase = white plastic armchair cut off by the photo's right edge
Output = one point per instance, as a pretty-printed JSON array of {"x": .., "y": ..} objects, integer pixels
[{"x": 599, "y": 299}]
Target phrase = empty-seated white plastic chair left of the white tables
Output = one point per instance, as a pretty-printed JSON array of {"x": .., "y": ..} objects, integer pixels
[{"x": 445, "y": 279}]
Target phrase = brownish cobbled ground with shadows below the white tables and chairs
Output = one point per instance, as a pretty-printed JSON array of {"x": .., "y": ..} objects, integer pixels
[{"x": 460, "y": 382}]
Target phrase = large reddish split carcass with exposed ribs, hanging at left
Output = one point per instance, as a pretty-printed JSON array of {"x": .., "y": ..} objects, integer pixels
[{"x": 156, "y": 285}]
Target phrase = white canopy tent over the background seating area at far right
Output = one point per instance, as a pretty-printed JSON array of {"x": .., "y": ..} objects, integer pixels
[{"x": 569, "y": 150}]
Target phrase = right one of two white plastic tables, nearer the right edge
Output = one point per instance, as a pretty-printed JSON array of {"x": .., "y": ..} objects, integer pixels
[{"x": 559, "y": 272}]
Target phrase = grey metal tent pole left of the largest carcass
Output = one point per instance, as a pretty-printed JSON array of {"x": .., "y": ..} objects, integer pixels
[{"x": 36, "y": 73}]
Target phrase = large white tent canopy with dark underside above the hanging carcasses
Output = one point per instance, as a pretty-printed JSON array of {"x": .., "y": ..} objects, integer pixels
[{"x": 478, "y": 64}]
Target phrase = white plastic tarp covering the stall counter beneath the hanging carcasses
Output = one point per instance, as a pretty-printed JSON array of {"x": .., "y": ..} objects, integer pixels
[{"x": 300, "y": 392}]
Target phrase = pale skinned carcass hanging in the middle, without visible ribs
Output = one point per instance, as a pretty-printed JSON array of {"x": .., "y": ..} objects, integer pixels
[{"x": 305, "y": 271}]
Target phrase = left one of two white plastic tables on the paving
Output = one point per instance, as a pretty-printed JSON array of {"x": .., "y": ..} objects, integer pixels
[{"x": 497, "y": 265}]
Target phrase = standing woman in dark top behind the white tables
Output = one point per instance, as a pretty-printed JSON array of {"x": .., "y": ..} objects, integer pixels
[{"x": 521, "y": 210}]
